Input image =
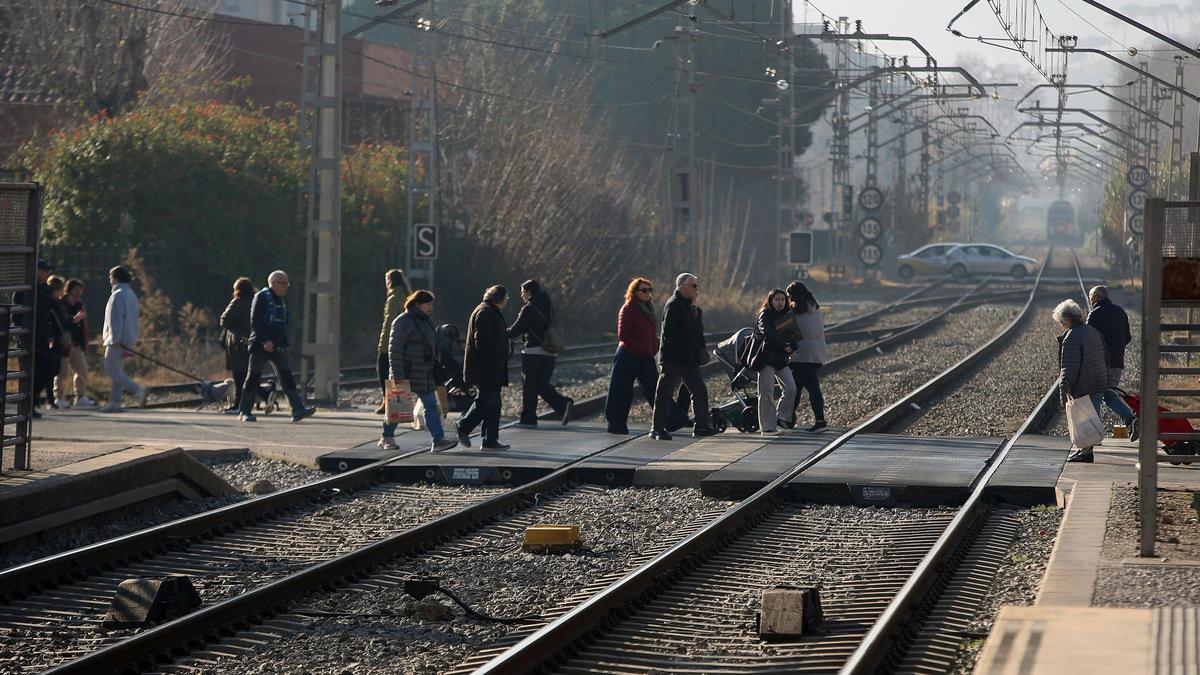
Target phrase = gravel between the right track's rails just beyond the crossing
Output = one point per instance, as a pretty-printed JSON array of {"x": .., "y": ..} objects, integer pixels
[{"x": 998, "y": 398}]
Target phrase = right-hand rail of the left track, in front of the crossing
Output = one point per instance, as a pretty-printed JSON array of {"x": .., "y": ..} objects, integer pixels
[{"x": 269, "y": 600}]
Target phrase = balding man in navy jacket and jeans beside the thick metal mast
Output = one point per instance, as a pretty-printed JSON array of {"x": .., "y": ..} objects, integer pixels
[{"x": 269, "y": 343}]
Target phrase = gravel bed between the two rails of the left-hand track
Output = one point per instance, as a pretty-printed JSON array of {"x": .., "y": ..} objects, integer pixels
[{"x": 227, "y": 565}]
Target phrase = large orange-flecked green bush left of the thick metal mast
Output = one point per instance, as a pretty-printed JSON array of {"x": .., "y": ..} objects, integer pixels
[{"x": 213, "y": 184}]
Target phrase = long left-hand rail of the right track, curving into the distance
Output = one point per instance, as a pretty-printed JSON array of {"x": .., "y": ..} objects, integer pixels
[{"x": 551, "y": 641}]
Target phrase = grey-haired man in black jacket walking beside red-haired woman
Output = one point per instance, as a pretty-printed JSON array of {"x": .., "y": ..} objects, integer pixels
[{"x": 682, "y": 355}]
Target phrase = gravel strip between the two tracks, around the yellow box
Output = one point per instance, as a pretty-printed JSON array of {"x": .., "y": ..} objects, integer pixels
[{"x": 487, "y": 570}]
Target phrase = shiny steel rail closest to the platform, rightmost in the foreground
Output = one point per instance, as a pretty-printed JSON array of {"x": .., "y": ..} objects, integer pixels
[{"x": 892, "y": 626}]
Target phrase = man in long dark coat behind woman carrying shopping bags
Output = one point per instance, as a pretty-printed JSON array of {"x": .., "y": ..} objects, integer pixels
[{"x": 485, "y": 365}]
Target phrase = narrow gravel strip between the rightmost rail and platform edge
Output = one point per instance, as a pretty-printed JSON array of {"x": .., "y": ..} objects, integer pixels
[{"x": 1017, "y": 582}]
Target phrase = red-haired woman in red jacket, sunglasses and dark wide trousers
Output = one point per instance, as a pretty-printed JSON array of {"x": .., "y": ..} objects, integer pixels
[{"x": 634, "y": 361}]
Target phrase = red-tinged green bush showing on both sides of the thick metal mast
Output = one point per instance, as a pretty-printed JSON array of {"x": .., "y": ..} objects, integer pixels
[{"x": 213, "y": 189}]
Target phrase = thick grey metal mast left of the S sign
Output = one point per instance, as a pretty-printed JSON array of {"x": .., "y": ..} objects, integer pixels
[{"x": 323, "y": 274}]
